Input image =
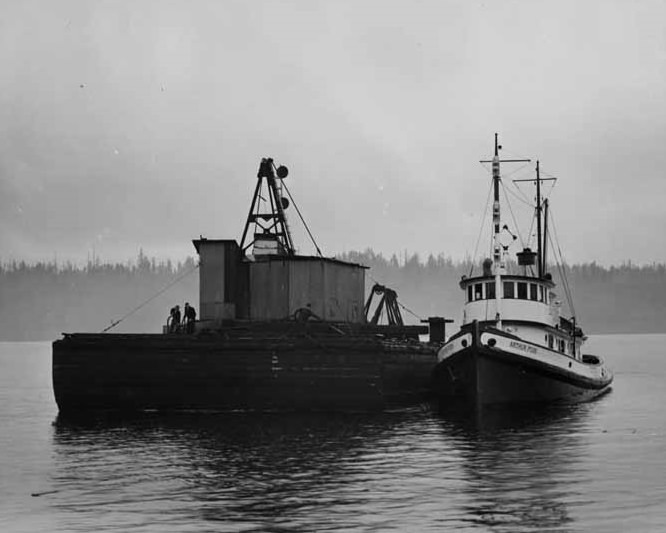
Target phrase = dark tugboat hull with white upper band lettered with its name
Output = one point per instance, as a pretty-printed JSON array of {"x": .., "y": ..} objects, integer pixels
[{"x": 514, "y": 371}]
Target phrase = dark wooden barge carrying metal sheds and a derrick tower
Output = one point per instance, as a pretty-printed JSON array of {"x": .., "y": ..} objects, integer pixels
[{"x": 277, "y": 331}]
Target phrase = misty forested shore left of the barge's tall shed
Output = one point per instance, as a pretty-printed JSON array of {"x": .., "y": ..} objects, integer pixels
[{"x": 40, "y": 301}]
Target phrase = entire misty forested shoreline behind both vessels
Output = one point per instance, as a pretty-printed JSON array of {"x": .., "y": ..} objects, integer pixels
[{"x": 42, "y": 300}]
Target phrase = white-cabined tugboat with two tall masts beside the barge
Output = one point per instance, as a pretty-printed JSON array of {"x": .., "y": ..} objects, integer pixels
[{"x": 514, "y": 345}]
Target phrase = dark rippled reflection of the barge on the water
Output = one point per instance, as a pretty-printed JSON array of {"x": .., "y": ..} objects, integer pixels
[{"x": 251, "y": 469}]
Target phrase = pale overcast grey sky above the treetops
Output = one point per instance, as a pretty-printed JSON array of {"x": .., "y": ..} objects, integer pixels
[{"x": 130, "y": 125}]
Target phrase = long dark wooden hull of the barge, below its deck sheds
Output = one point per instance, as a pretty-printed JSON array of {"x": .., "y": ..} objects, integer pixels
[{"x": 109, "y": 372}]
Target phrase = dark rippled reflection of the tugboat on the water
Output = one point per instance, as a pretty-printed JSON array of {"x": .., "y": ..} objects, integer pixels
[{"x": 520, "y": 466}]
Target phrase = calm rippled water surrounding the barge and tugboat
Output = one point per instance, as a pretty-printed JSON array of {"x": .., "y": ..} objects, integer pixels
[{"x": 600, "y": 466}]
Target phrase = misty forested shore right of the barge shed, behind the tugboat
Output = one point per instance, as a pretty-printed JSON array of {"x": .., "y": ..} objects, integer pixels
[{"x": 627, "y": 298}]
